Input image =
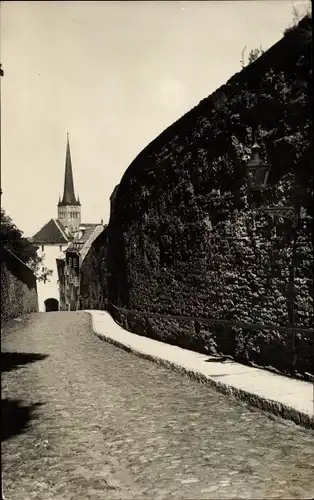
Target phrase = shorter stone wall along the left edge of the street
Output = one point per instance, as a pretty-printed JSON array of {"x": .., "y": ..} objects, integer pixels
[{"x": 18, "y": 287}]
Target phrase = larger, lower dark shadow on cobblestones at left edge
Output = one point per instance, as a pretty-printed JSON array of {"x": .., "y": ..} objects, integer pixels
[{"x": 15, "y": 417}]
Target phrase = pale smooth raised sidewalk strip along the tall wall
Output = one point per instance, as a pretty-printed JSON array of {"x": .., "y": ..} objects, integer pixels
[{"x": 283, "y": 396}]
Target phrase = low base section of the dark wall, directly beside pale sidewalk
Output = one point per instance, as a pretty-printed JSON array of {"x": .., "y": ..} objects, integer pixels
[{"x": 287, "y": 352}]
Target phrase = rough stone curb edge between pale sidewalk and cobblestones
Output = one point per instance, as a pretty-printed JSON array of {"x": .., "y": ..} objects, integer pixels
[{"x": 268, "y": 405}]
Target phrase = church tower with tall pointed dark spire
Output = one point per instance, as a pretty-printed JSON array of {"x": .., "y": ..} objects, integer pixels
[{"x": 69, "y": 209}]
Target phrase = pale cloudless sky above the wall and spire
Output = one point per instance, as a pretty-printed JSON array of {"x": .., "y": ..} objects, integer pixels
[{"x": 113, "y": 74}]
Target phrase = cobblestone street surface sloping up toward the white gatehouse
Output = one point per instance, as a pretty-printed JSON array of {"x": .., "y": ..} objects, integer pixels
[{"x": 105, "y": 424}]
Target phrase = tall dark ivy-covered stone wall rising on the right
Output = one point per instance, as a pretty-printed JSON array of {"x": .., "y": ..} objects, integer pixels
[{"x": 187, "y": 239}]
